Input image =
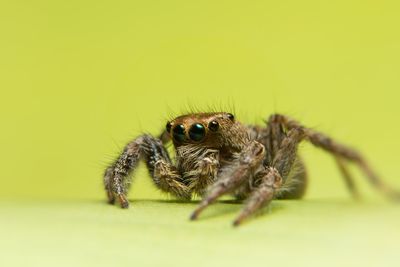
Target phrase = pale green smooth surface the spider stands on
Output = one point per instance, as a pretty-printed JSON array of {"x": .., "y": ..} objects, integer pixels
[{"x": 153, "y": 233}]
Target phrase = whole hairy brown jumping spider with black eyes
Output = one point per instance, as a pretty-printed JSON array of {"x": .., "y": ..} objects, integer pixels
[{"x": 217, "y": 155}]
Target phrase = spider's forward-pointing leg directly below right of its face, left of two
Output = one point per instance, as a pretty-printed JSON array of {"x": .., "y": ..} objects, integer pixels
[{"x": 249, "y": 160}]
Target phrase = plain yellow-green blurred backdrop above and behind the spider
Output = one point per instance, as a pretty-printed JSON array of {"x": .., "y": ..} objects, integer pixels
[{"x": 79, "y": 79}]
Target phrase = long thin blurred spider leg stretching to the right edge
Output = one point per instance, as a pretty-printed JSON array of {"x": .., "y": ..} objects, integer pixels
[{"x": 325, "y": 142}]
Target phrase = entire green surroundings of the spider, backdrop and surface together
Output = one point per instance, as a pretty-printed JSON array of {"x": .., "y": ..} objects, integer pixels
[{"x": 79, "y": 79}]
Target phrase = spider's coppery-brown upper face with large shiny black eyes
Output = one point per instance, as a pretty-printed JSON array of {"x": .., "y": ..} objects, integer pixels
[{"x": 201, "y": 128}]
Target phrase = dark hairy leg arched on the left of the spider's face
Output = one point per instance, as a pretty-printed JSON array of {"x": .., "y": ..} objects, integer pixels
[{"x": 163, "y": 173}]
